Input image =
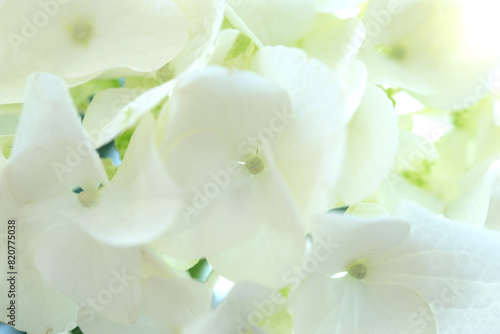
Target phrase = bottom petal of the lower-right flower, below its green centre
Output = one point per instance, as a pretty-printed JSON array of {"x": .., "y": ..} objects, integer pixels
[{"x": 324, "y": 305}]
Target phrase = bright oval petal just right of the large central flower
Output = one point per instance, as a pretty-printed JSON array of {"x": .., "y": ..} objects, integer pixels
[{"x": 372, "y": 143}]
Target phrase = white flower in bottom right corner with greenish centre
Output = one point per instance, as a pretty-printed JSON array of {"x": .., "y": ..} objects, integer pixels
[{"x": 408, "y": 273}]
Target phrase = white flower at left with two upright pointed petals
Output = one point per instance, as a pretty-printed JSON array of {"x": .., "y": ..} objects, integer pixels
[{"x": 73, "y": 251}]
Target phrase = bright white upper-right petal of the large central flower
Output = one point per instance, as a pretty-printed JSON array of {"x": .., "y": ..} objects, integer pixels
[{"x": 315, "y": 132}]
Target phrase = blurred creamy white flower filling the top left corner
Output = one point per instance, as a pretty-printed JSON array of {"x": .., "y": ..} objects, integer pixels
[{"x": 139, "y": 35}]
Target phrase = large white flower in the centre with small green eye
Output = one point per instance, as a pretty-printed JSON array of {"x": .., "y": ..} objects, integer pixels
[{"x": 256, "y": 158}]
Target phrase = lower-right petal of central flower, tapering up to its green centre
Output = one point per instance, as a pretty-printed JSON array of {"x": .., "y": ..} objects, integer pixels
[{"x": 275, "y": 246}]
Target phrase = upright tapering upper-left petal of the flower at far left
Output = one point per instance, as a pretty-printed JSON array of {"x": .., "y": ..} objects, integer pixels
[{"x": 50, "y": 136}]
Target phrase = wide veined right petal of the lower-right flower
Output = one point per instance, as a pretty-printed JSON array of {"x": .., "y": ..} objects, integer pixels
[{"x": 454, "y": 267}]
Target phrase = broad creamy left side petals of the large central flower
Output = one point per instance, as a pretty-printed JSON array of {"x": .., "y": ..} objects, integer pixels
[{"x": 207, "y": 140}]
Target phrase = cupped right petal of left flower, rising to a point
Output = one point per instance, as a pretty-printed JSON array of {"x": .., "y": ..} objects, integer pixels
[{"x": 141, "y": 200}]
